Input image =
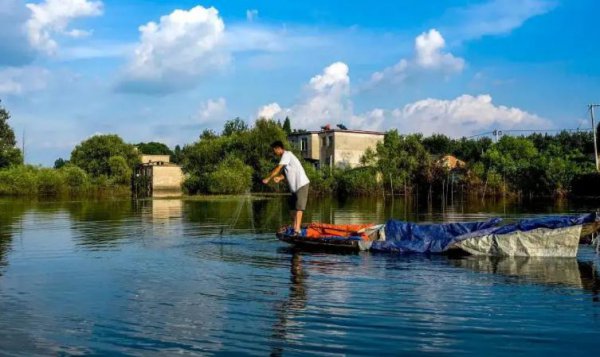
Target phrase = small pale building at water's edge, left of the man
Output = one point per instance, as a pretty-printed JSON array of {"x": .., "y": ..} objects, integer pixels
[{"x": 156, "y": 176}]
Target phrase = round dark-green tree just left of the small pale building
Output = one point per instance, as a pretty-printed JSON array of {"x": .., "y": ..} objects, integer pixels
[{"x": 93, "y": 154}]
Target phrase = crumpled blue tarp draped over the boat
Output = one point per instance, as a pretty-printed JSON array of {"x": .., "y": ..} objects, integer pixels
[{"x": 435, "y": 238}]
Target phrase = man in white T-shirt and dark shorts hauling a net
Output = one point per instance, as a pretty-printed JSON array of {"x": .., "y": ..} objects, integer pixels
[{"x": 297, "y": 181}]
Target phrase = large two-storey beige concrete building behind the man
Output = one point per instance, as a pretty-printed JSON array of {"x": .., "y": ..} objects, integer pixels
[{"x": 335, "y": 147}]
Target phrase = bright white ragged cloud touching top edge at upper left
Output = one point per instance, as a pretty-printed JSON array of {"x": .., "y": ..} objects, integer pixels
[{"x": 53, "y": 17}]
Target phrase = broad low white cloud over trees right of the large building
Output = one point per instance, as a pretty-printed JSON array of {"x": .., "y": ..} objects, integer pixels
[{"x": 463, "y": 116}]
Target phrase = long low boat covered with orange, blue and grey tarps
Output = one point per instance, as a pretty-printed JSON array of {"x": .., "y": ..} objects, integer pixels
[{"x": 555, "y": 236}]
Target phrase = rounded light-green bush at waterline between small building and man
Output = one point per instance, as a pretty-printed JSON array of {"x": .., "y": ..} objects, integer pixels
[{"x": 232, "y": 176}]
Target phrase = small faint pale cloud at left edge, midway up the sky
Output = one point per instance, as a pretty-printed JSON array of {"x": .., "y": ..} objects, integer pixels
[{"x": 21, "y": 80}]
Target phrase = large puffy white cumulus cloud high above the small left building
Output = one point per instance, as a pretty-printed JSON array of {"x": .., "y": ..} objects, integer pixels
[{"x": 176, "y": 52}]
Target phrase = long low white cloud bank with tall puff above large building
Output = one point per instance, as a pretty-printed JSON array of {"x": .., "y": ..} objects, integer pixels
[{"x": 328, "y": 101}]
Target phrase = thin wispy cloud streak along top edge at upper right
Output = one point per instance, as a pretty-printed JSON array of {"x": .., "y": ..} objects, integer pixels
[{"x": 495, "y": 17}]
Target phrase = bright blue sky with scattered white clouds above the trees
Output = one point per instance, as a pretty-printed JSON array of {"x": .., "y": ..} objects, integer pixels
[{"x": 164, "y": 71}]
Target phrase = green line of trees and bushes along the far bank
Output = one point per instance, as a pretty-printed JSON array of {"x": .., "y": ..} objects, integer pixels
[{"x": 235, "y": 160}]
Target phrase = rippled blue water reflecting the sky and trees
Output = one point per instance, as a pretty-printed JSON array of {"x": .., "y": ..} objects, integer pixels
[{"x": 208, "y": 277}]
